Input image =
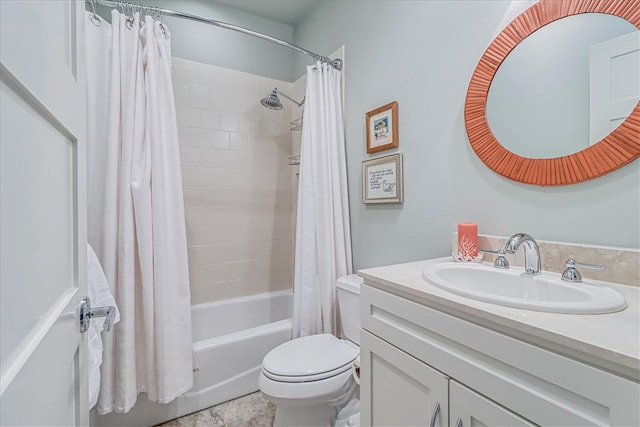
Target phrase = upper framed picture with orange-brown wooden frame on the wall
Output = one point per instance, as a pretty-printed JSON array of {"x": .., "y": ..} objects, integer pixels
[{"x": 382, "y": 128}]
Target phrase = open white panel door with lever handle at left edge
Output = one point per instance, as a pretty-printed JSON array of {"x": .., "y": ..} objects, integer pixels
[{"x": 42, "y": 213}]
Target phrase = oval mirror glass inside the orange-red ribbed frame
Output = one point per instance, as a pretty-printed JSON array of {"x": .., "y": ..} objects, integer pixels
[{"x": 564, "y": 87}]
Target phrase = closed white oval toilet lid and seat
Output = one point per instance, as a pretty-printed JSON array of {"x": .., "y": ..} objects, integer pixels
[{"x": 309, "y": 358}]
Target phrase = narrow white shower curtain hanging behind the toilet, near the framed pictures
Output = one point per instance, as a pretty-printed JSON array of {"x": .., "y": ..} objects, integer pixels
[{"x": 323, "y": 237}]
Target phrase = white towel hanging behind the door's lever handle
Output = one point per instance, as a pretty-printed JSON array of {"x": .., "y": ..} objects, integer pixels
[{"x": 100, "y": 295}]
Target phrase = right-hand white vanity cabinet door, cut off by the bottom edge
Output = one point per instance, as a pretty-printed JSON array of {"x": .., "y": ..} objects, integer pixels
[{"x": 469, "y": 408}]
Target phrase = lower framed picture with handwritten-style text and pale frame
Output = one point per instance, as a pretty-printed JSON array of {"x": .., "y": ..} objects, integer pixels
[{"x": 382, "y": 179}]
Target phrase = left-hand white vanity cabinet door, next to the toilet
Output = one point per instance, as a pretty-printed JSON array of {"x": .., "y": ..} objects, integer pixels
[{"x": 397, "y": 389}]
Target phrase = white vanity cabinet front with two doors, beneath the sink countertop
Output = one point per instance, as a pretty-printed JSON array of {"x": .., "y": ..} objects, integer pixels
[{"x": 415, "y": 356}]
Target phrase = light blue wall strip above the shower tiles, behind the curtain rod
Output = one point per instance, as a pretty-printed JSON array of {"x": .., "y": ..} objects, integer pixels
[{"x": 224, "y": 48}]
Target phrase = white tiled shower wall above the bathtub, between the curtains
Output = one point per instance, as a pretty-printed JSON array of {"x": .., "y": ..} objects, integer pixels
[{"x": 238, "y": 187}]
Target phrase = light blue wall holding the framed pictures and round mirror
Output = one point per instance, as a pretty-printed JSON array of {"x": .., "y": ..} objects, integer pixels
[{"x": 422, "y": 54}]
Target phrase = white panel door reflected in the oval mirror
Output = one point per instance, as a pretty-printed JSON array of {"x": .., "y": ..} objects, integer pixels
[{"x": 614, "y": 83}]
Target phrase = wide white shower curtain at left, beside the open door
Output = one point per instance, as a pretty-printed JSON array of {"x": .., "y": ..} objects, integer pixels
[{"x": 136, "y": 214}]
